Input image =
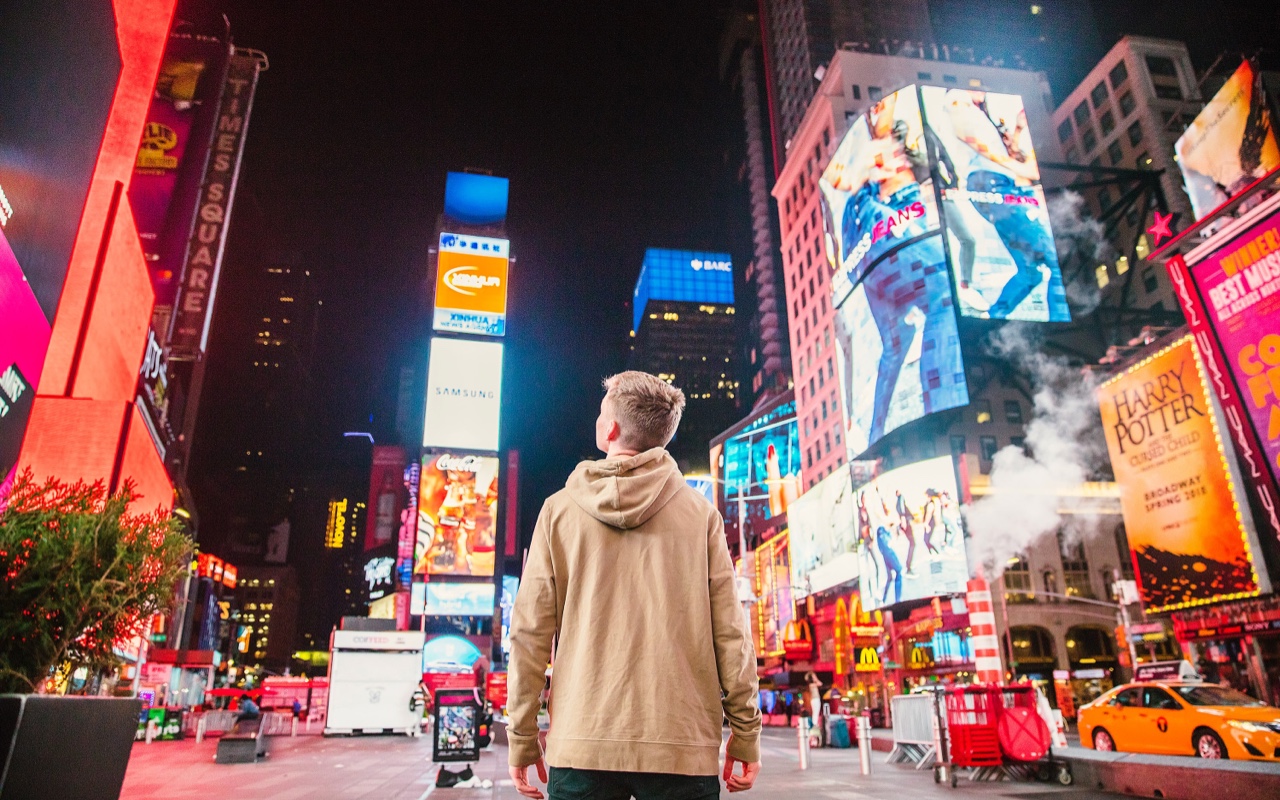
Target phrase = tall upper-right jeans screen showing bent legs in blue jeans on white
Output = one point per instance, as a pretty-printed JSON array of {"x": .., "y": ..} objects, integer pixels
[{"x": 998, "y": 230}]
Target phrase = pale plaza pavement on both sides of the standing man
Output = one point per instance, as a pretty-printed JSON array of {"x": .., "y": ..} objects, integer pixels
[{"x": 400, "y": 769}]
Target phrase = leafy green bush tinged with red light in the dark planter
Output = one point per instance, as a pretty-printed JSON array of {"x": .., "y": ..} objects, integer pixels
[{"x": 79, "y": 573}]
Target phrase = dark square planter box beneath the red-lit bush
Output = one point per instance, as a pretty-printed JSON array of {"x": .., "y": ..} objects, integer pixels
[{"x": 67, "y": 748}]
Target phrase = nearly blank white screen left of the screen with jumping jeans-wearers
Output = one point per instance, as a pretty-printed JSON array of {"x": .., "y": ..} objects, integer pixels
[{"x": 822, "y": 536}]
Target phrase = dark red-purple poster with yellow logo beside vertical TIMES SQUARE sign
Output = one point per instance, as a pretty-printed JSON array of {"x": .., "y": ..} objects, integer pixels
[{"x": 163, "y": 194}]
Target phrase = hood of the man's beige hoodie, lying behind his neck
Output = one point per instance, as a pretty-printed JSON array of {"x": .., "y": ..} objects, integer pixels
[{"x": 627, "y": 492}]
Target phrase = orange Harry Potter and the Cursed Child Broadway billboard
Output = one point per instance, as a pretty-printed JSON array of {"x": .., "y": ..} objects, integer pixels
[{"x": 1183, "y": 516}]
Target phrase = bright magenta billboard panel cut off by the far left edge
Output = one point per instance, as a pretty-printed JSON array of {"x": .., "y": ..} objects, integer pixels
[{"x": 24, "y": 341}]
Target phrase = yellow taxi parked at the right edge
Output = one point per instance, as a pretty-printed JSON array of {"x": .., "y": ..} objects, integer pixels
[{"x": 1182, "y": 719}]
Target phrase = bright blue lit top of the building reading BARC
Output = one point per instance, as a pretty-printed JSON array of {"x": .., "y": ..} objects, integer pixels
[{"x": 683, "y": 276}]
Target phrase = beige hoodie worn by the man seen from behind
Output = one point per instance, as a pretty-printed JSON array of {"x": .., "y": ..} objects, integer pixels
[{"x": 629, "y": 568}]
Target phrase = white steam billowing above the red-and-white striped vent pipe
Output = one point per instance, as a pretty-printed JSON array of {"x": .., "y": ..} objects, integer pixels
[{"x": 1064, "y": 445}]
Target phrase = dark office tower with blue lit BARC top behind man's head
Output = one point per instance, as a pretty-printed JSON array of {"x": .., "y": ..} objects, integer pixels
[{"x": 685, "y": 333}]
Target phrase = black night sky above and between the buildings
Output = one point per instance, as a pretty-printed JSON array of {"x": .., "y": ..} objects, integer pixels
[{"x": 612, "y": 126}]
